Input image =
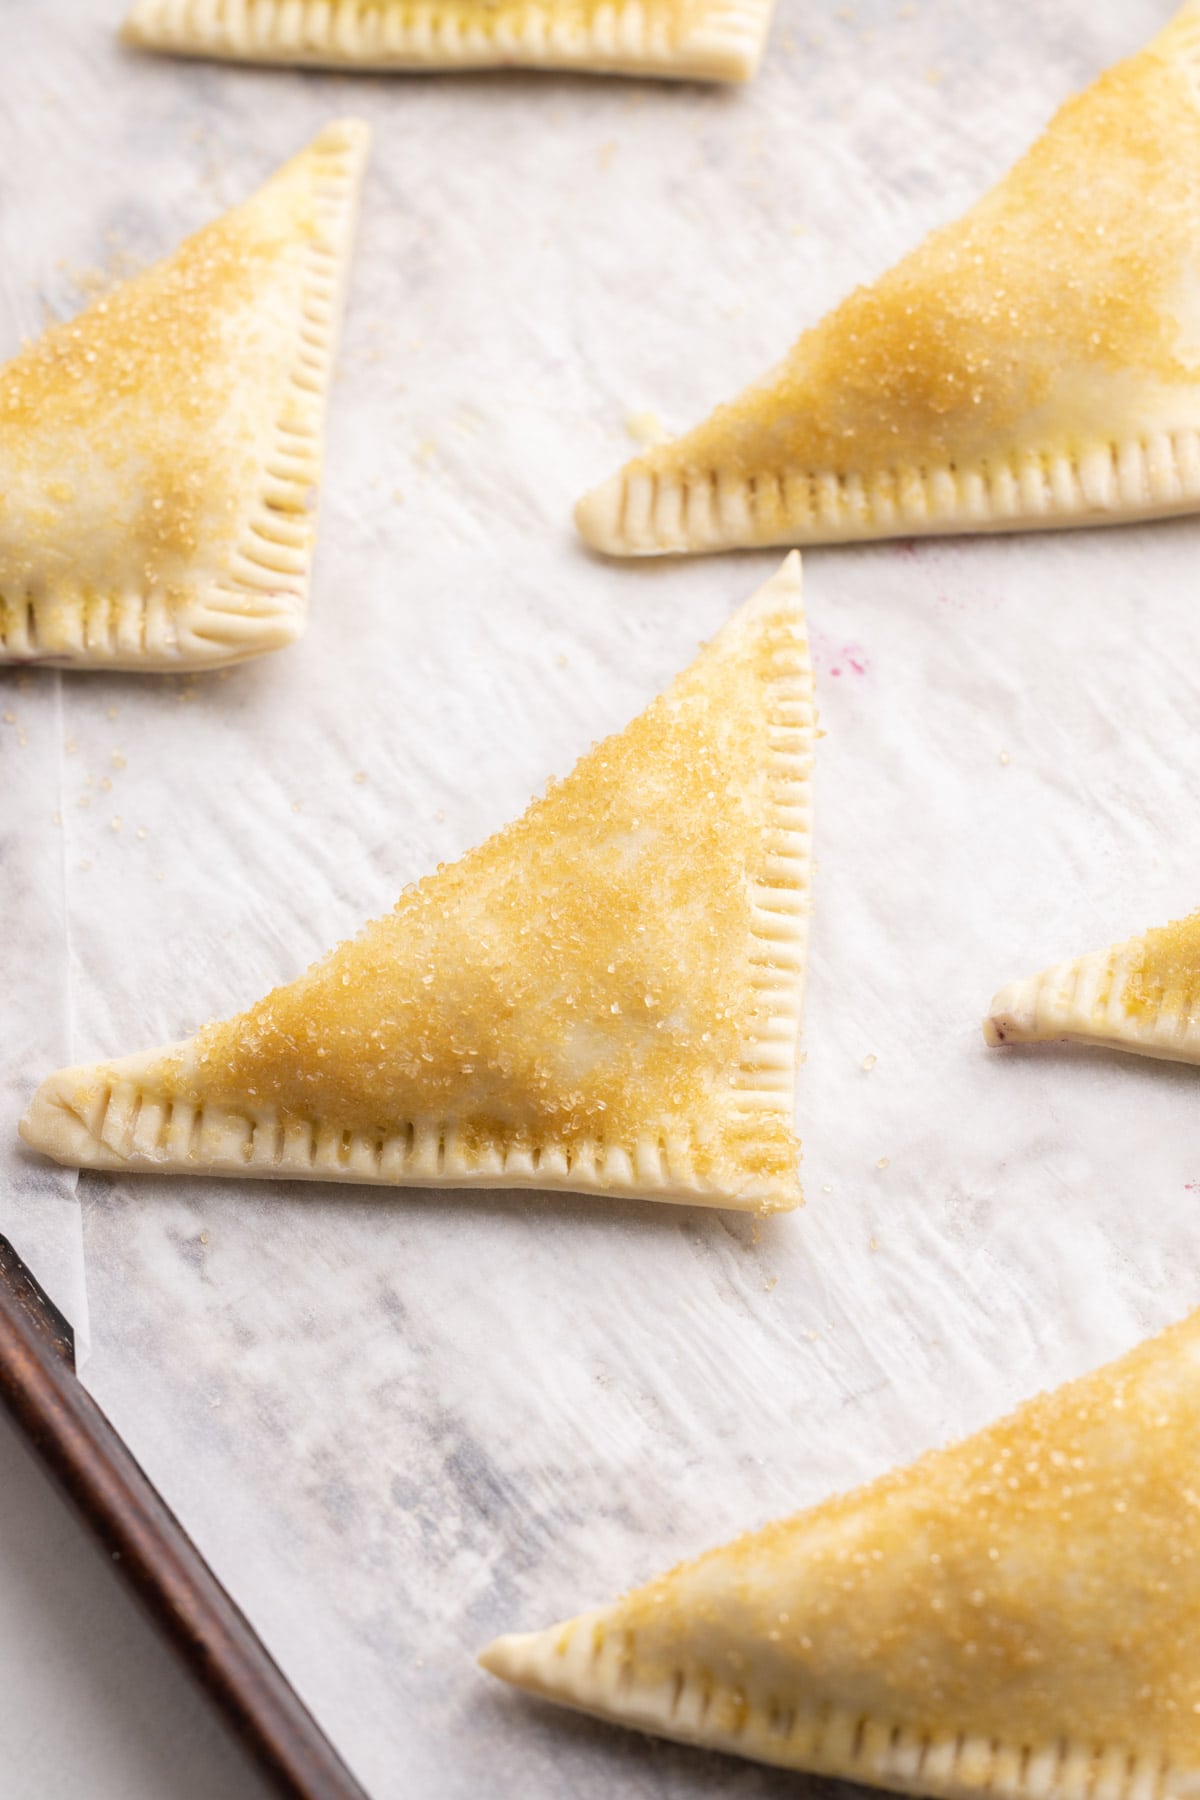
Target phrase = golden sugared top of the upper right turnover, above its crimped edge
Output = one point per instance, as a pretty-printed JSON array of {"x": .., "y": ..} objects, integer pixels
[{"x": 1061, "y": 301}]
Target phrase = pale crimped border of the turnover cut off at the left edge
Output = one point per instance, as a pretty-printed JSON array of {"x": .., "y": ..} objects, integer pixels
[{"x": 253, "y": 595}]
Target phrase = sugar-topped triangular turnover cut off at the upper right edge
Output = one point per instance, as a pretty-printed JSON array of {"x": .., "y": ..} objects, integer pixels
[{"x": 1034, "y": 364}]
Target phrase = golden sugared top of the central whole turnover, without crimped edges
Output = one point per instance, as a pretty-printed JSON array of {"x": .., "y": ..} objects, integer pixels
[{"x": 578, "y": 975}]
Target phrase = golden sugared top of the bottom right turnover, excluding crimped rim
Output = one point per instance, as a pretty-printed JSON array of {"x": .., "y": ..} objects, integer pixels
[{"x": 1043, "y": 1578}]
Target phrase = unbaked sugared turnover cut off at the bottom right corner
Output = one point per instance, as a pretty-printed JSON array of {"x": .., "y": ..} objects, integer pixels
[{"x": 1012, "y": 1617}]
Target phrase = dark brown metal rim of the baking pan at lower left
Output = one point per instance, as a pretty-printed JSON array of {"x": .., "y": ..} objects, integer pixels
[{"x": 150, "y": 1549}]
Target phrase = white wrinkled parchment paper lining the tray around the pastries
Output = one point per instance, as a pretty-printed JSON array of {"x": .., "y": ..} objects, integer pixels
[{"x": 402, "y": 1425}]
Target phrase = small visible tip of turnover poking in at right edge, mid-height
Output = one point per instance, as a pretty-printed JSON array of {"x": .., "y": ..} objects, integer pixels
[{"x": 1142, "y": 996}]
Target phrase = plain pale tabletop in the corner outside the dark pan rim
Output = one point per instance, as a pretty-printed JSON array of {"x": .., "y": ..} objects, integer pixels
[{"x": 94, "y": 1705}]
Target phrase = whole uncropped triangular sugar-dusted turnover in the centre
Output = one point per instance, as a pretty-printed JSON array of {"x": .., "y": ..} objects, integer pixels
[{"x": 604, "y": 996}]
